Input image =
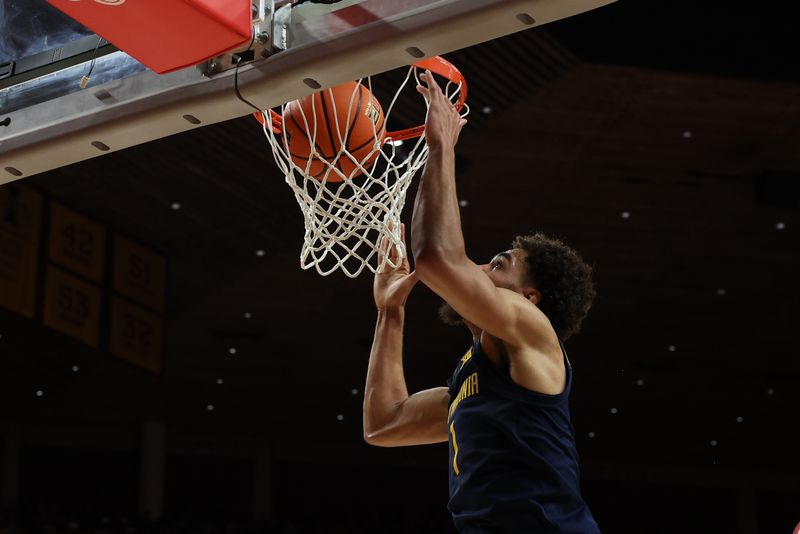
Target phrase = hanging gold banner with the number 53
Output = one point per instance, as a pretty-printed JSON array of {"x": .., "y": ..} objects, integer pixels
[{"x": 72, "y": 306}]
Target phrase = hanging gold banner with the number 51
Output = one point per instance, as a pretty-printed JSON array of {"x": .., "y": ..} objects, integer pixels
[{"x": 139, "y": 273}]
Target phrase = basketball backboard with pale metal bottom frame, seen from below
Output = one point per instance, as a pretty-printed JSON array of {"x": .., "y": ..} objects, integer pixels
[{"x": 51, "y": 121}]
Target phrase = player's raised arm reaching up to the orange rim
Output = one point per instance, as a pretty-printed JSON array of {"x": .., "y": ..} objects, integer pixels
[{"x": 441, "y": 260}]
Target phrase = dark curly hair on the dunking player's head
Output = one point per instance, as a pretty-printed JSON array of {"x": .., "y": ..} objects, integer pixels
[{"x": 563, "y": 279}]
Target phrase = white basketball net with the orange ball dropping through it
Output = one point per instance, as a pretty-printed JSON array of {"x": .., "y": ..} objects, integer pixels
[{"x": 349, "y": 201}]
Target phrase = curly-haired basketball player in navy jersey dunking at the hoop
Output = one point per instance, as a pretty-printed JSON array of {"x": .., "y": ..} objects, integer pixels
[{"x": 513, "y": 464}]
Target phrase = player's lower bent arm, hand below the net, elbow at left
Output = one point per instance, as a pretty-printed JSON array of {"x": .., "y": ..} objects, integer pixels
[{"x": 391, "y": 417}]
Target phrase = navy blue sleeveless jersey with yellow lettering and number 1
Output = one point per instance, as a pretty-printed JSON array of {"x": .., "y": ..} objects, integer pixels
[{"x": 513, "y": 461}]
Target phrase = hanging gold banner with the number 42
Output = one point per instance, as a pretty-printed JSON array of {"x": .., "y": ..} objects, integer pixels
[{"x": 77, "y": 242}]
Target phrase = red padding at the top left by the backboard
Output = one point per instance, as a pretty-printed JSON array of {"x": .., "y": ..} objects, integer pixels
[{"x": 165, "y": 35}]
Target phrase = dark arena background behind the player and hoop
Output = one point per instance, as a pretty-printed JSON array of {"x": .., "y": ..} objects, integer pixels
[{"x": 661, "y": 139}]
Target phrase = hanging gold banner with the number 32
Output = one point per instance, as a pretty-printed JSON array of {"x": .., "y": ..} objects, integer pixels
[{"x": 136, "y": 335}]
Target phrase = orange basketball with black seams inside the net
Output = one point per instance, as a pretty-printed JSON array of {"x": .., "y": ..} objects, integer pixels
[{"x": 348, "y": 116}]
